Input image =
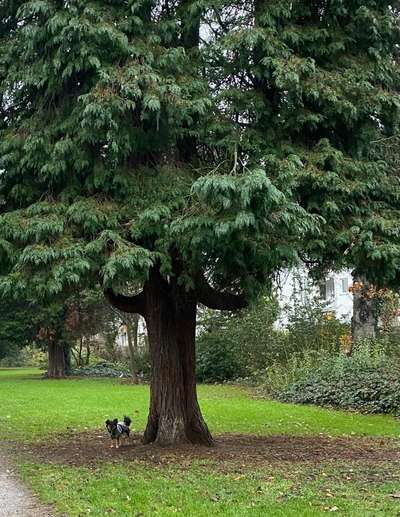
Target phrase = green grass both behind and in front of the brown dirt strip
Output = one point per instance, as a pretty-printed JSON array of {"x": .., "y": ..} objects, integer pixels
[{"x": 32, "y": 408}]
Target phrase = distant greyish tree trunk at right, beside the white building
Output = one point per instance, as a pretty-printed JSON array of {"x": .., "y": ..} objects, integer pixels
[{"x": 364, "y": 321}]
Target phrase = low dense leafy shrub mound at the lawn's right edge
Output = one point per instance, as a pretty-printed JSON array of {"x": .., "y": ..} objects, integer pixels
[{"x": 369, "y": 382}]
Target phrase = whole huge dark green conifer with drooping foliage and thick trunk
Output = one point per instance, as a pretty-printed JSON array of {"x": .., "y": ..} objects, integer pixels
[{"x": 181, "y": 152}]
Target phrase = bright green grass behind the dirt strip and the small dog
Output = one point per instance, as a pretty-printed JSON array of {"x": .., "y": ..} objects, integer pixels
[{"x": 32, "y": 407}]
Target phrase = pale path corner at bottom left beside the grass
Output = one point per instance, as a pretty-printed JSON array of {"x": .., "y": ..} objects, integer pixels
[{"x": 15, "y": 499}]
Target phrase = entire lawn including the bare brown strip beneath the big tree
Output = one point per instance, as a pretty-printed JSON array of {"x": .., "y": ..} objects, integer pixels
[{"x": 253, "y": 478}]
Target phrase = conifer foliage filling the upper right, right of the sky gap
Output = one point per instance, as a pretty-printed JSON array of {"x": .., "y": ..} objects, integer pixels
[{"x": 314, "y": 87}]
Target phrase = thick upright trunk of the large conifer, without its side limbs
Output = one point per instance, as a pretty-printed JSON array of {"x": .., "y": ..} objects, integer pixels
[{"x": 175, "y": 415}]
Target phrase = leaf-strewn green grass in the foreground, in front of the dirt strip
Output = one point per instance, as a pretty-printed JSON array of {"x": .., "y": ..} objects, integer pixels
[{"x": 201, "y": 492}]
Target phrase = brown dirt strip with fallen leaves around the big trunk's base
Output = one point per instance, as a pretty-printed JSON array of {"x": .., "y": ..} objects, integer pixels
[{"x": 88, "y": 449}]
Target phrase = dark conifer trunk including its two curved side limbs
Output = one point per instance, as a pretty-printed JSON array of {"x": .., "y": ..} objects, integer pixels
[{"x": 170, "y": 314}]
